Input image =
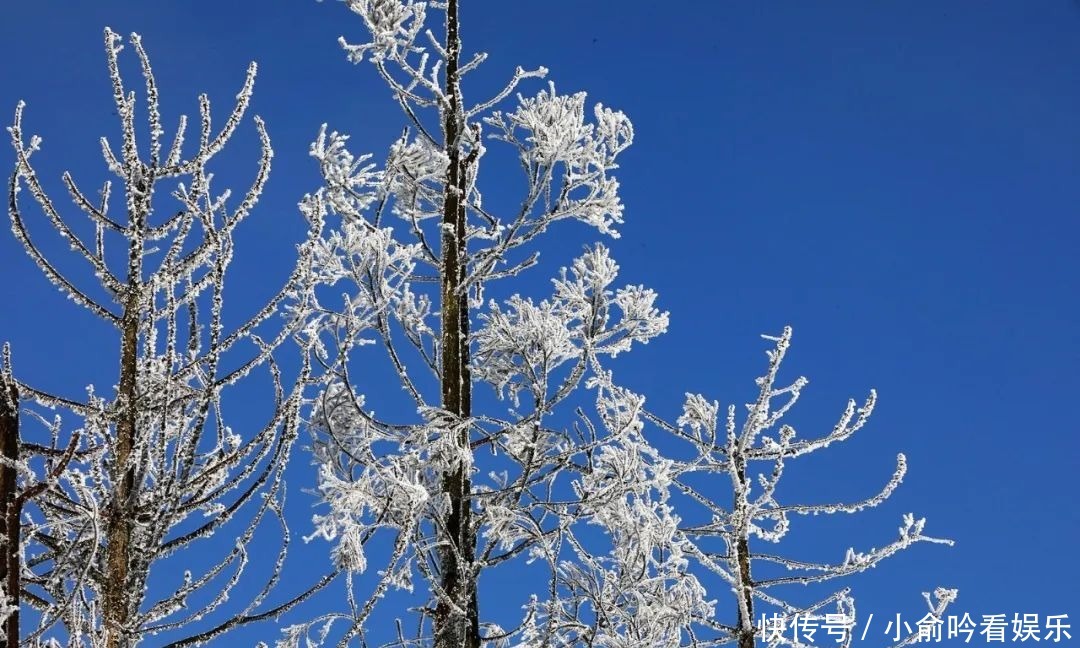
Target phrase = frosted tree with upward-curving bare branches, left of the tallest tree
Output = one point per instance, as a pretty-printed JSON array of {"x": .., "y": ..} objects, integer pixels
[{"x": 156, "y": 469}]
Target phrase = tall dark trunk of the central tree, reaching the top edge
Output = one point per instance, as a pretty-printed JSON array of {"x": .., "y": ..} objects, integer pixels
[{"x": 453, "y": 629}]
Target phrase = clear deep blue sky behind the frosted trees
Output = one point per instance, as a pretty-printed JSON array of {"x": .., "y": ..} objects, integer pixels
[{"x": 898, "y": 181}]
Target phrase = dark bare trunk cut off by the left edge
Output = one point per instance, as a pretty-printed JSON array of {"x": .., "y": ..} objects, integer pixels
[{"x": 12, "y": 504}]
